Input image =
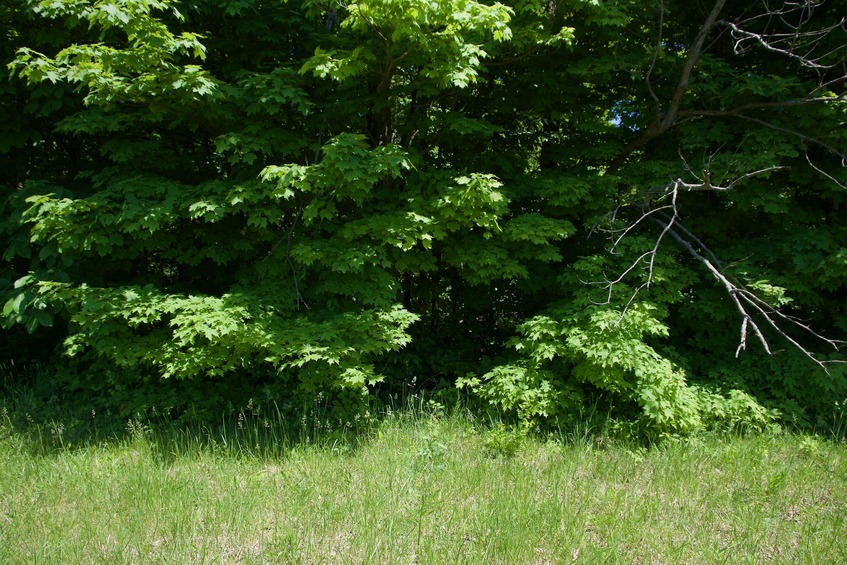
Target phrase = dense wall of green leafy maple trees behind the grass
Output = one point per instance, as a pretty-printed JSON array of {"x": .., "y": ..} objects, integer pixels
[{"x": 630, "y": 202}]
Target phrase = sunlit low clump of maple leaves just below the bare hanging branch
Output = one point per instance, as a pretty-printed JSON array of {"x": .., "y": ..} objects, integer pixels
[{"x": 602, "y": 350}]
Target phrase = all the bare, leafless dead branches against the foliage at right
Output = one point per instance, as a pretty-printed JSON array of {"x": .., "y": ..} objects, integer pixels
[{"x": 789, "y": 29}]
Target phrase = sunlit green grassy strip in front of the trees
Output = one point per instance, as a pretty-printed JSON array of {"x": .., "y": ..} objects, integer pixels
[{"x": 415, "y": 487}]
